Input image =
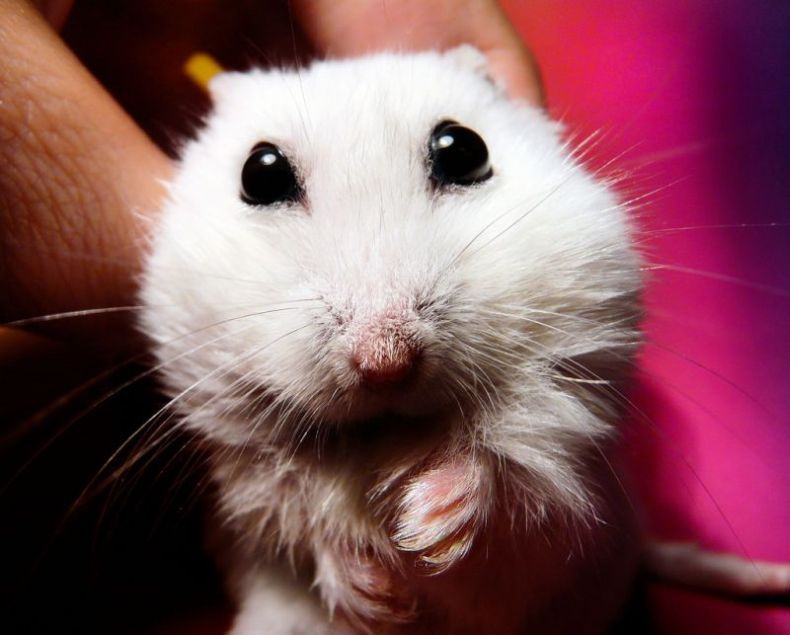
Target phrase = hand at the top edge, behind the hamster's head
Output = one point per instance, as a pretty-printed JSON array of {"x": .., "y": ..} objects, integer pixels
[{"x": 353, "y": 27}]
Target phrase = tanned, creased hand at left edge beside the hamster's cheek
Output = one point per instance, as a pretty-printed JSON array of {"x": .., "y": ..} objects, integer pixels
[{"x": 78, "y": 179}]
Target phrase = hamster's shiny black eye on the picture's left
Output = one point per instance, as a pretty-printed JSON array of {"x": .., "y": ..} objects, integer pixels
[{"x": 267, "y": 177}]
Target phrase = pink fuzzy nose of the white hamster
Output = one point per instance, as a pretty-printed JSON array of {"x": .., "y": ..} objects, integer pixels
[{"x": 384, "y": 358}]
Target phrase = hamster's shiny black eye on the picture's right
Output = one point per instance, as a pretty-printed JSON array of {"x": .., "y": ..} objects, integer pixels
[{"x": 457, "y": 155}]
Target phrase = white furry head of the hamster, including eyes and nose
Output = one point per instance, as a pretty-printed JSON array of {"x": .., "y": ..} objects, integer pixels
[{"x": 389, "y": 236}]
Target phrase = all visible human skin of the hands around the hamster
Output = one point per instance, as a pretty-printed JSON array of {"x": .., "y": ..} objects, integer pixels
[{"x": 80, "y": 180}]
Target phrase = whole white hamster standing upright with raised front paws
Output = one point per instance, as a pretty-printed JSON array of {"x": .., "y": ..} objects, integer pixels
[{"x": 401, "y": 317}]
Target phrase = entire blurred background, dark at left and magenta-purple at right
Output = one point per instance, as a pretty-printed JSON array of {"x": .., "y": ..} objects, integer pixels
[{"x": 688, "y": 99}]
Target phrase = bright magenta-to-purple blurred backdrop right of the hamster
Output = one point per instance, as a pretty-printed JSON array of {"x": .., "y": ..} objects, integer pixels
[{"x": 697, "y": 96}]
